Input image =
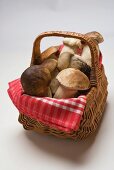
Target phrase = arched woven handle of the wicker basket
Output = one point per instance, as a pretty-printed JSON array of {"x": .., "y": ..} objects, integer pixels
[{"x": 89, "y": 41}]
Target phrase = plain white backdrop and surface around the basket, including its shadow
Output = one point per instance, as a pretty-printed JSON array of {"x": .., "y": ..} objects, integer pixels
[{"x": 20, "y": 22}]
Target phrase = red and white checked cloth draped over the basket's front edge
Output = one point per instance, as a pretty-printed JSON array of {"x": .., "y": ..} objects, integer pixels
[{"x": 63, "y": 114}]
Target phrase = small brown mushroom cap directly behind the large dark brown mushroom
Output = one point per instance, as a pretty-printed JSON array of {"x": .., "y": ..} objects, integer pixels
[{"x": 50, "y": 64}]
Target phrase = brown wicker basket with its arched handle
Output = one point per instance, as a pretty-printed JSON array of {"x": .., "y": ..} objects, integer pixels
[{"x": 96, "y": 97}]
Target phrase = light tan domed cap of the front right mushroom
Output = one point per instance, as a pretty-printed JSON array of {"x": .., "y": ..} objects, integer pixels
[{"x": 73, "y": 79}]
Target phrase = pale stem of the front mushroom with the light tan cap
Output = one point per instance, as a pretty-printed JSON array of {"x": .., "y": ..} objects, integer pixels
[{"x": 63, "y": 92}]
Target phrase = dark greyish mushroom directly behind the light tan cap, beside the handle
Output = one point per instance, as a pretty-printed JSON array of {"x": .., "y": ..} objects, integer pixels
[{"x": 77, "y": 63}]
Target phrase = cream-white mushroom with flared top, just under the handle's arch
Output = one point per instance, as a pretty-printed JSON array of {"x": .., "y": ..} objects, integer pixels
[{"x": 71, "y": 45}]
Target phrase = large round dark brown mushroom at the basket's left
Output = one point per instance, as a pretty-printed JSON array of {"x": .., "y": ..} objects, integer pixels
[{"x": 35, "y": 80}]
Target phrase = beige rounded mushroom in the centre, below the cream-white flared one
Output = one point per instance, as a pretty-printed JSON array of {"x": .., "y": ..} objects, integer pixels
[{"x": 64, "y": 60}]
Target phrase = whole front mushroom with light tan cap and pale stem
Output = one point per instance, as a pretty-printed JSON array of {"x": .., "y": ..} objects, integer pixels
[{"x": 71, "y": 81}]
